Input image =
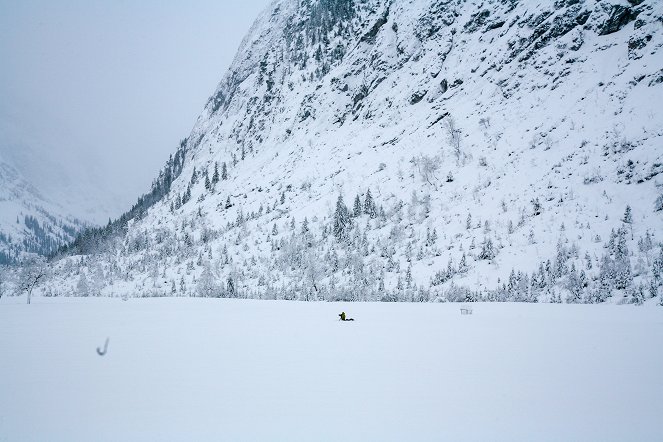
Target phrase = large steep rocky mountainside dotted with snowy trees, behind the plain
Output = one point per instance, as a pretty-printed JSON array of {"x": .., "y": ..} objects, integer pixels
[{"x": 412, "y": 150}]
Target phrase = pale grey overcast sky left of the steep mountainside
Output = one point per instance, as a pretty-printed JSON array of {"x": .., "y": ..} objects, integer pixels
[{"x": 114, "y": 83}]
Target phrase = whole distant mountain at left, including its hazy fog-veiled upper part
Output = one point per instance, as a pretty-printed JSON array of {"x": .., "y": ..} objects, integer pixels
[{"x": 53, "y": 188}]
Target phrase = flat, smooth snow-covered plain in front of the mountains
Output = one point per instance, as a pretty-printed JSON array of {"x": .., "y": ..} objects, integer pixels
[{"x": 201, "y": 369}]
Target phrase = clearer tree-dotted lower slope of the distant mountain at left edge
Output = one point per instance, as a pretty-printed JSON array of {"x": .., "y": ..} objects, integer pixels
[{"x": 30, "y": 224}]
